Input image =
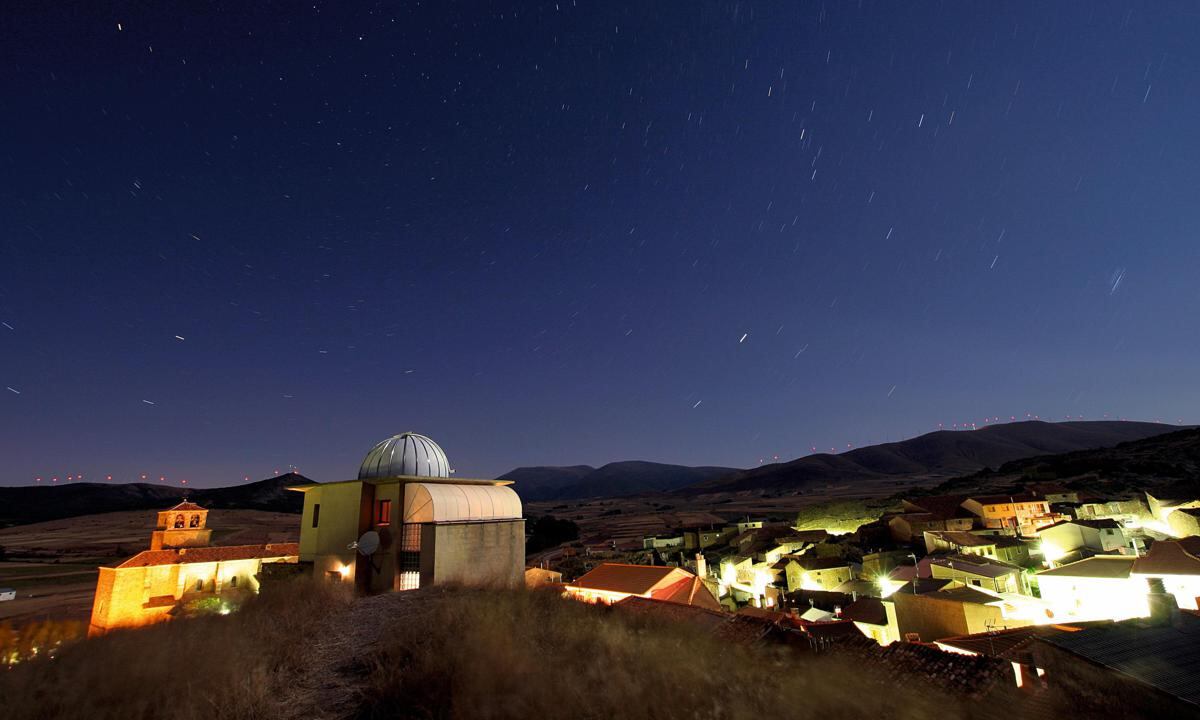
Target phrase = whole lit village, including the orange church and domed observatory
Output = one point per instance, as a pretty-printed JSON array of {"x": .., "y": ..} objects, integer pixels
[{"x": 1048, "y": 584}]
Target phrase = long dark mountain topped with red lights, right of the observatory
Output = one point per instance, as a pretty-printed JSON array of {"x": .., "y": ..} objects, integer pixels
[{"x": 937, "y": 455}]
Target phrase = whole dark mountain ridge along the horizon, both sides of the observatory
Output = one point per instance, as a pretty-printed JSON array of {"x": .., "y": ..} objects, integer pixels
[{"x": 1018, "y": 449}]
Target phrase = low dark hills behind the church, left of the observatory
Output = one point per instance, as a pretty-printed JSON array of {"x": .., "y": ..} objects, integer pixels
[{"x": 40, "y": 503}]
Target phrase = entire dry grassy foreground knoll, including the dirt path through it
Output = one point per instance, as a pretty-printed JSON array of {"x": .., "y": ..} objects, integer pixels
[{"x": 310, "y": 652}]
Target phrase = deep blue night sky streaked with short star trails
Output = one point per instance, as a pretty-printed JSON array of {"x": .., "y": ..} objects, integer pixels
[{"x": 244, "y": 237}]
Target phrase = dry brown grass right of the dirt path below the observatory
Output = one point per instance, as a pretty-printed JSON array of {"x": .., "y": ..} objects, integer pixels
[{"x": 535, "y": 656}]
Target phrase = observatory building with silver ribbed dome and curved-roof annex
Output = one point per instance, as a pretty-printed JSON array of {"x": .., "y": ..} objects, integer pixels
[{"x": 405, "y": 524}]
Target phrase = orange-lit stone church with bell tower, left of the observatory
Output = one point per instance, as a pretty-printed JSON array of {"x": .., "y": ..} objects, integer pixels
[{"x": 181, "y": 569}]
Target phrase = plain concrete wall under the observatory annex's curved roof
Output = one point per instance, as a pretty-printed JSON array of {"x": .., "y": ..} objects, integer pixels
[{"x": 475, "y": 554}]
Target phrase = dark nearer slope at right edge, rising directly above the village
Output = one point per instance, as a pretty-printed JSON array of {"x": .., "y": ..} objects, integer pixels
[{"x": 1168, "y": 463}]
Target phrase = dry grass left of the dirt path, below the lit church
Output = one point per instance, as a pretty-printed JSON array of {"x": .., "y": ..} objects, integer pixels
[{"x": 215, "y": 667}]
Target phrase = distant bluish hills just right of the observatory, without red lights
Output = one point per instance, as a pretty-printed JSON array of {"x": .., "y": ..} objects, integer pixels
[{"x": 615, "y": 479}]
